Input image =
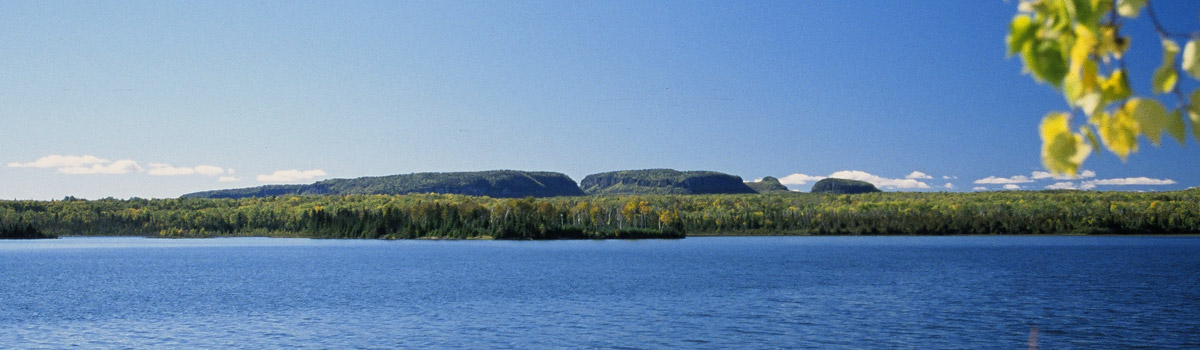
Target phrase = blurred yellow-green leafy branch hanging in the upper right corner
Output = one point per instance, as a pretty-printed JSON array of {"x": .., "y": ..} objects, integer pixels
[{"x": 1077, "y": 47}]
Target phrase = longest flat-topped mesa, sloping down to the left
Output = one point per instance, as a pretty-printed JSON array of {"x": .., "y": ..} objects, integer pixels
[{"x": 497, "y": 184}]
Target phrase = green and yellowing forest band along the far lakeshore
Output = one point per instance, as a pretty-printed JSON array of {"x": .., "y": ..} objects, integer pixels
[{"x": 451, "y": 216}]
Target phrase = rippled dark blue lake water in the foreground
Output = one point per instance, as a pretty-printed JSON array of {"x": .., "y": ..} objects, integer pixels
[{"x": 699, "y": 293}]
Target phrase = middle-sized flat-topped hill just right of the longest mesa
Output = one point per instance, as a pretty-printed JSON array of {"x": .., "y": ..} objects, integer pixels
[{"x": 663, "y": 182}]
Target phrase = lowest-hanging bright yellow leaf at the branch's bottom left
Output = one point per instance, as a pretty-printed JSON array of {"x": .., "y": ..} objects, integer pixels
[{"x": 1063, "y": 152}]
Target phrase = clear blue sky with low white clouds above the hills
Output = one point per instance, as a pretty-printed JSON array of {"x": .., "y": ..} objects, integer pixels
[{"x": 159, "y": 99}]
